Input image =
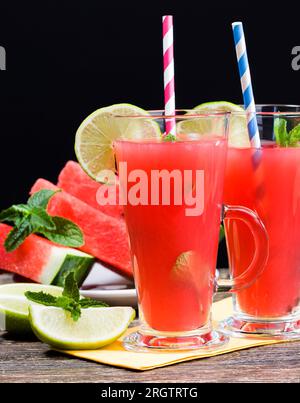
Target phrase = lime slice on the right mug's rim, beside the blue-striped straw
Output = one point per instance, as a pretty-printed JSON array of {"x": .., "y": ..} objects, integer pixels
[{"x": 238, "y": 130}]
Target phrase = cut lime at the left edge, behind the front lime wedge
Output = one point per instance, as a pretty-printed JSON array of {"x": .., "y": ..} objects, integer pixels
[{"x": 14, "y": 306}]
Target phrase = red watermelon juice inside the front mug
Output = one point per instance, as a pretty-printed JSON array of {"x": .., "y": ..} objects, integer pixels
[{"x": 173, "y": 253}]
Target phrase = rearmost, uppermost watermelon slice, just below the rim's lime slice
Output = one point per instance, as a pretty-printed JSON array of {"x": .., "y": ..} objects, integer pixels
[{"x": 76, "y": 182}]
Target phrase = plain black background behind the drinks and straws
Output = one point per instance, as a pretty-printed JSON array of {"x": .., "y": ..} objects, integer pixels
[{"x": 66, "y": 59}]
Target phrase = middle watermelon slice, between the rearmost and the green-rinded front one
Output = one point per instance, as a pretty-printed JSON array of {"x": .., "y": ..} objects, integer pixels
[{"x": 105, "y": 237}]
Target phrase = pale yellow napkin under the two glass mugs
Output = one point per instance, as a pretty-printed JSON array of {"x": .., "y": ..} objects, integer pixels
[{"x": 115, "y": 354}]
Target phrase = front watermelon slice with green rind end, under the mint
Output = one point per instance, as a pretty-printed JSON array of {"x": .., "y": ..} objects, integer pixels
[{"x": 40, "y": 260}]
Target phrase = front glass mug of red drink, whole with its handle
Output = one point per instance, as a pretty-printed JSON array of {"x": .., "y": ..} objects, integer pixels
[{"x": 172, "y": 193}]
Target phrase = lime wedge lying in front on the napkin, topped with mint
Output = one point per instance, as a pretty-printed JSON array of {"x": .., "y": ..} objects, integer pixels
[{"x": 95, "y": 328}]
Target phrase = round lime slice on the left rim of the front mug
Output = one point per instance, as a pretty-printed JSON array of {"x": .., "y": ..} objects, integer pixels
[{"x": 96, "y": 134}]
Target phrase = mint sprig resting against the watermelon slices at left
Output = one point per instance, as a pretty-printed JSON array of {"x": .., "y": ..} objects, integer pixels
[{"x": 33, "y": 218}]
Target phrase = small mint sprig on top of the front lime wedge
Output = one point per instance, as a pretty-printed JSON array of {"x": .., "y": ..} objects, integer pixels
[{"x": 69, "y": 300}]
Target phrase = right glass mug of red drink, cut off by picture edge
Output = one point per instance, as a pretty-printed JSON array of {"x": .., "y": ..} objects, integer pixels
[{"x": 266, "y": 180}]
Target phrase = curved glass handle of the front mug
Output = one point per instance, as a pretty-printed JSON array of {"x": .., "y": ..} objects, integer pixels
[{"x": 261, "y": 242}]
